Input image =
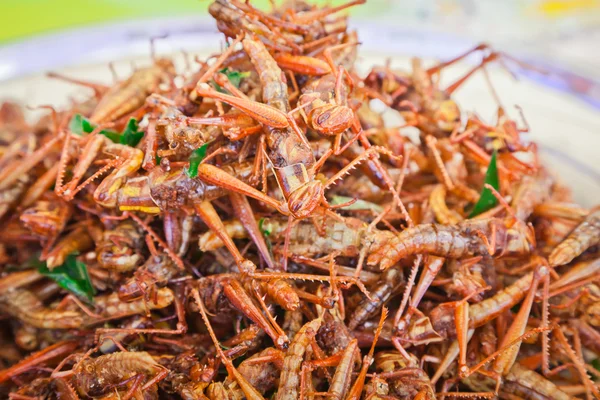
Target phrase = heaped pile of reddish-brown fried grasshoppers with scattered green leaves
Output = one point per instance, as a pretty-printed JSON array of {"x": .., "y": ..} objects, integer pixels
[{"x": 250, "y": 228}]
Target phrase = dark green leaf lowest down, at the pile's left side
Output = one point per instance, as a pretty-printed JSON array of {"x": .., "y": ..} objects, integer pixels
[{"x": 73, "y": 276}]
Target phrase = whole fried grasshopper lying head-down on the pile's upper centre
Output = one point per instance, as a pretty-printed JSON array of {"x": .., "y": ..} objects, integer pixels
[{"x": 291, "y": 155}]
